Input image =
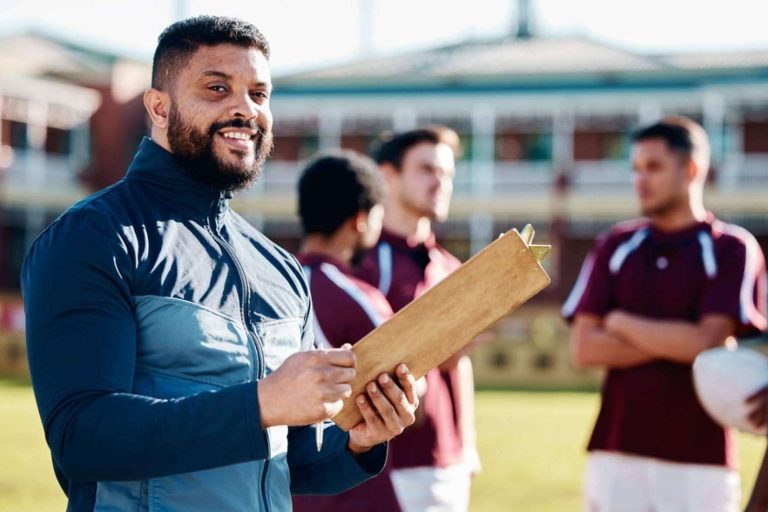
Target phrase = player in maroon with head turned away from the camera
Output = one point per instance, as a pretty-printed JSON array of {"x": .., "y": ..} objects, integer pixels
[{"x": 340, "y": 196}]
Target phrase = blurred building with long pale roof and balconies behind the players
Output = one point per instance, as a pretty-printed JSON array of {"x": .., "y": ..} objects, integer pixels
[{"x": 545, "y": 125}]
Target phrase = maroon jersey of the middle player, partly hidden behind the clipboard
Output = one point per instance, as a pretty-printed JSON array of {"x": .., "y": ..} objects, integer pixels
[{"x": 403, "y": 270}]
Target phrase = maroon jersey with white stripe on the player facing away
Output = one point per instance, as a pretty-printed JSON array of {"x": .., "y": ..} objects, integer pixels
[{"x": 346, "y": 309}]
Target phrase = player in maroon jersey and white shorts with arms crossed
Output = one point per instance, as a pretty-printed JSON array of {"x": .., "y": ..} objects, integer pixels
[{"x": 653, "y": 294}]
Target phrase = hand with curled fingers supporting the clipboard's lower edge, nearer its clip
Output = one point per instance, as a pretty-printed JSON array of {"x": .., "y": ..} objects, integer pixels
[{"x": 387, "y": 410}]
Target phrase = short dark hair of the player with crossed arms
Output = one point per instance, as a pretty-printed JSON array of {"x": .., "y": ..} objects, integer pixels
[{"x": 681, "y": 135}]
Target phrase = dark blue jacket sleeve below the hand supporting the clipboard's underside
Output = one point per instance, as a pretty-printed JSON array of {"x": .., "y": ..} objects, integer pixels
[{"x": 334, "y": 469}]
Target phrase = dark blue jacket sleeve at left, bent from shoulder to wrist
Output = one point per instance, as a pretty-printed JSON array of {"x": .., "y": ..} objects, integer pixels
[{"x": 81, "y": 343}]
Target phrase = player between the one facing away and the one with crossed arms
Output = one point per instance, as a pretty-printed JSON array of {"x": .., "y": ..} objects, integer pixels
[{"x": 433, "y": 462}]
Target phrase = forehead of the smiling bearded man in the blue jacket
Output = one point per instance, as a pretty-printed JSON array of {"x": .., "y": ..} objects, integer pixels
[{"x": 231, "y": 62}]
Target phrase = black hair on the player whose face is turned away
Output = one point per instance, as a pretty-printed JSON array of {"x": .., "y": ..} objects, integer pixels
[{"x": 336, "y": 186}]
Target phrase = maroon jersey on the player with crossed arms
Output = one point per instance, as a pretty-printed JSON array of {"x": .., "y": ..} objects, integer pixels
[{"x": 709, "y": 268}]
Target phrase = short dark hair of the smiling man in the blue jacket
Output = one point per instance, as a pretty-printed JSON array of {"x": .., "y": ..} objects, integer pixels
[{"x": 180, "y": 41}]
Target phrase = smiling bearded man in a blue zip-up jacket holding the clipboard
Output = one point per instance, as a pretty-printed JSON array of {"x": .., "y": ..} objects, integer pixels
[{"x": 168, "y": 340}]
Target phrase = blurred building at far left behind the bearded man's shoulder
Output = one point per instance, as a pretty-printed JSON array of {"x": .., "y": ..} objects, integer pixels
[{"x": 71, "y": 117}]
